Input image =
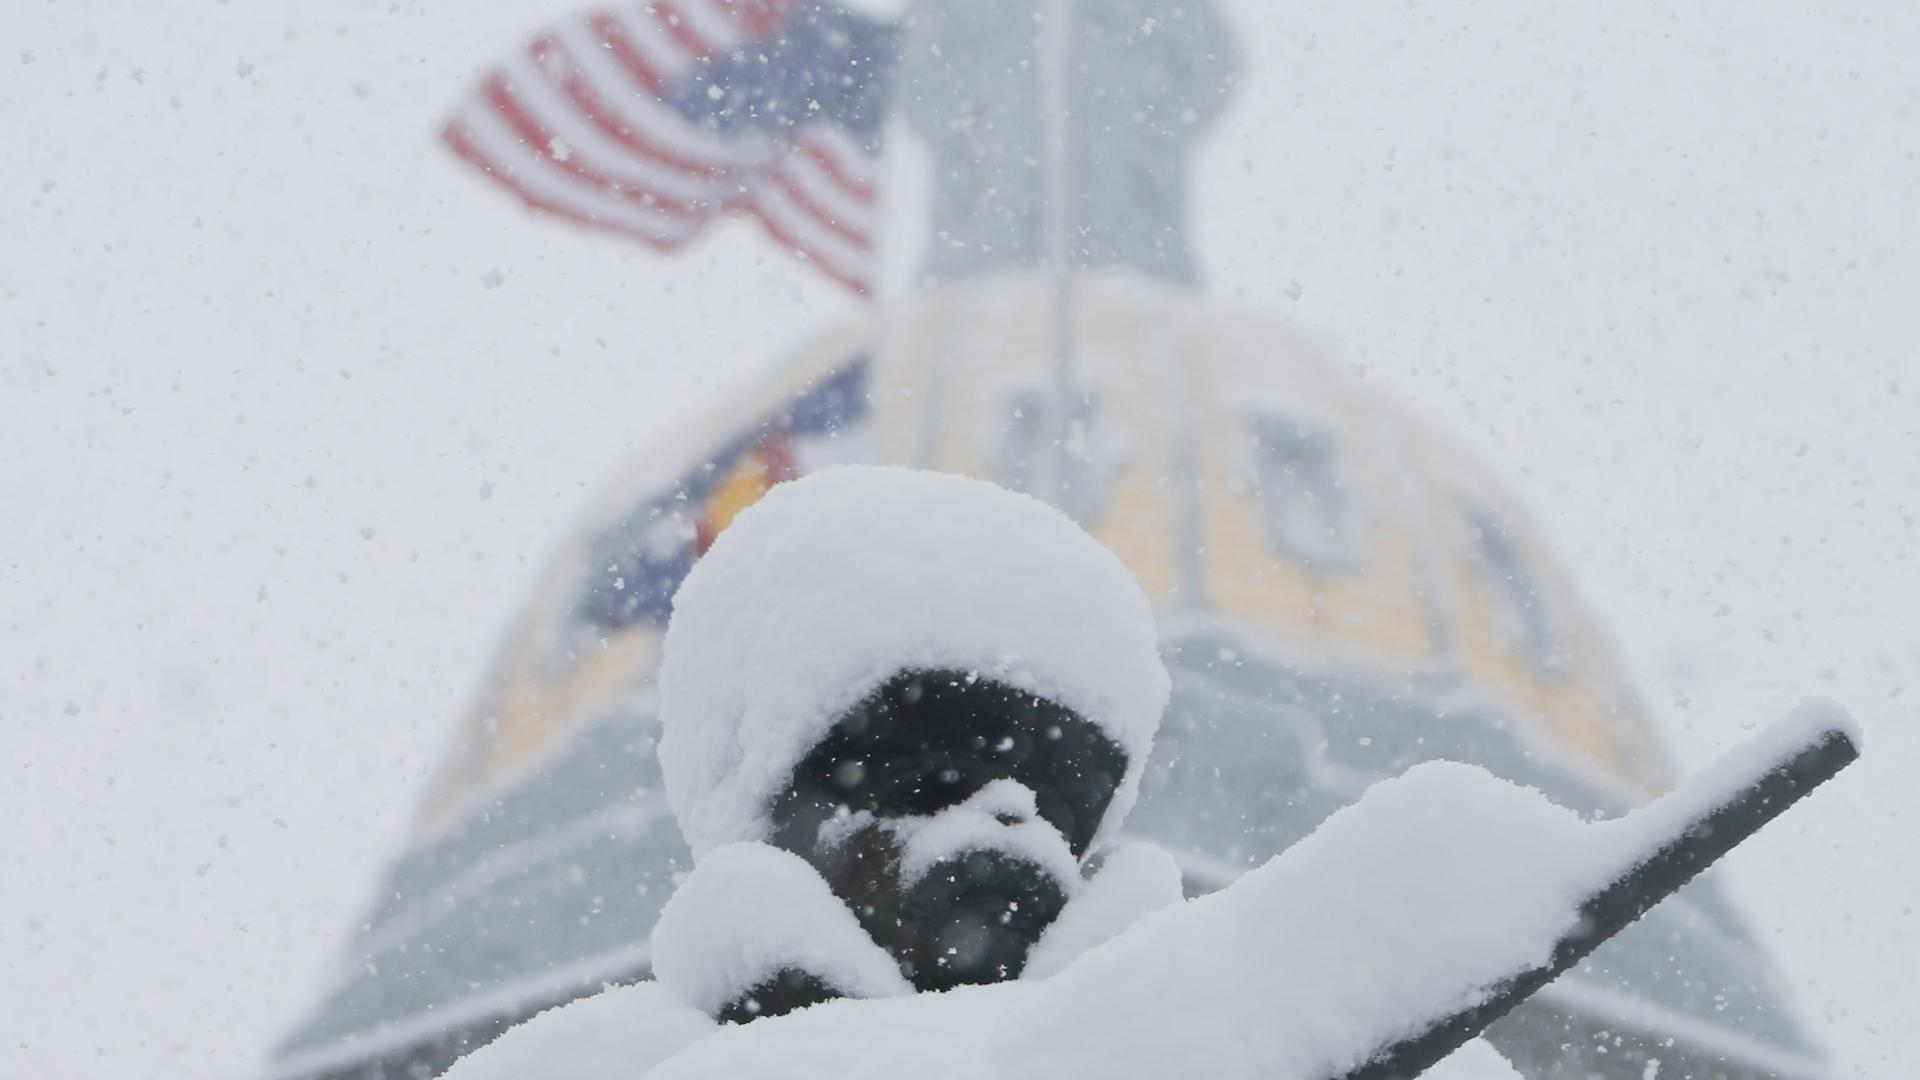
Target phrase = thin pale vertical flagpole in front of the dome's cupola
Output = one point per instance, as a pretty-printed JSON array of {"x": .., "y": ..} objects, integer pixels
[{"x": 1057, "y": 214}]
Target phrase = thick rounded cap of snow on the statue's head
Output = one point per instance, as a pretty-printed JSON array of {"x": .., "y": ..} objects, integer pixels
[{"x": 836, "y": 583}]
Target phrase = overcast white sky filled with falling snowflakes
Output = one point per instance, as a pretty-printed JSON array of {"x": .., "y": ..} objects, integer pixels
[{"x": 291, "y": 408}]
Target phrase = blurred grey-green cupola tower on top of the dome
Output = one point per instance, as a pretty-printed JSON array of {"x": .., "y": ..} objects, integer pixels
[{"x": 1141, "y": 82}]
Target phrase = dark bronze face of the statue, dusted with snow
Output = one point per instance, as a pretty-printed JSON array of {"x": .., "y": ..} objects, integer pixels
[{"x": 923, "y": 745}]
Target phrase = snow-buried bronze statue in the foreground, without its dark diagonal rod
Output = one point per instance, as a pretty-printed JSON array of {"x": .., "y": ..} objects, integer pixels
[{"x": 905, "y": 716}]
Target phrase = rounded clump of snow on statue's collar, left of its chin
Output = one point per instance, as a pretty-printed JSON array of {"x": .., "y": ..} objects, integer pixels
[{"x": 746, "y": 914}]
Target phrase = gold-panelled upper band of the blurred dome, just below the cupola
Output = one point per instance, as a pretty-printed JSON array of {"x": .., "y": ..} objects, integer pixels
[{"x": 1174, "y": 381}]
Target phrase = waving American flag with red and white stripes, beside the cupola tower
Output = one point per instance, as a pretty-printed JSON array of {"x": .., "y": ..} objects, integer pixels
[{"x": 654, "y": 118}]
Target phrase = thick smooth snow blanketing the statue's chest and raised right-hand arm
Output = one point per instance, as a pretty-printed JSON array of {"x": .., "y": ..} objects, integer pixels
[{"x": 1395, "y": 912}]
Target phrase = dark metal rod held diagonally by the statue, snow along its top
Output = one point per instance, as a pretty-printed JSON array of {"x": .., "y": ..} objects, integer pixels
[{"x": 1698, "y": 843}]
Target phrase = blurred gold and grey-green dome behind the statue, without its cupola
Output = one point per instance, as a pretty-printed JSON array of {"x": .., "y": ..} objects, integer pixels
[{"x": 1341, "y": 595}]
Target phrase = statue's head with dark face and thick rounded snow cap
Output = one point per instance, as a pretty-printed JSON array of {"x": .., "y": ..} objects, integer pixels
[{"x": 936, "y": 693}]
